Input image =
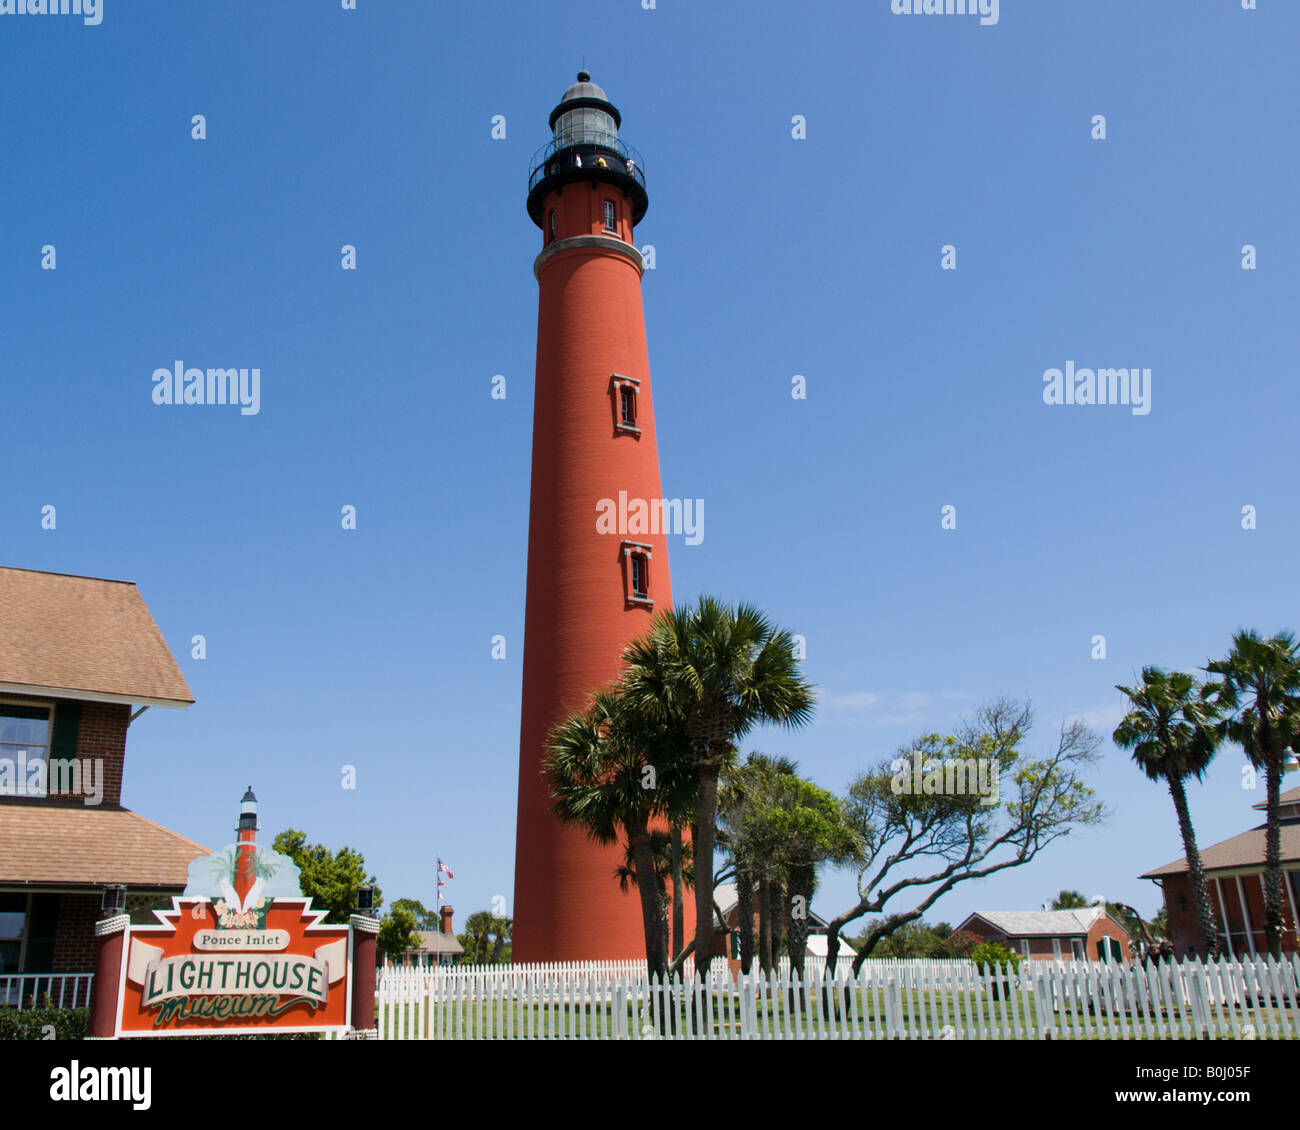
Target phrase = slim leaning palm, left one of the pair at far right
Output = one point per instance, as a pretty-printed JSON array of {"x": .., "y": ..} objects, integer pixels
[{"x": 1173, "y": 735}]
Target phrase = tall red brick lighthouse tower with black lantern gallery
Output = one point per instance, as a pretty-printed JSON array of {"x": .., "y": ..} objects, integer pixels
[{"x": 591, "y": 590}]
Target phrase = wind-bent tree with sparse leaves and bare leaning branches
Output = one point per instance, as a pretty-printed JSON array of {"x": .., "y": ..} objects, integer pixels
[{"x": 955, "y": 838}]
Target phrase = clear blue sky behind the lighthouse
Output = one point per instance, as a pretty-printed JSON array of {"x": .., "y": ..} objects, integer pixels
[{"x": 774, "y": 257}]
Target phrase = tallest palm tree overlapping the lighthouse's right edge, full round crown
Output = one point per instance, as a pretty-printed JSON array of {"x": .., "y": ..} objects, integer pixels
[{"x": 720, "y": 673}]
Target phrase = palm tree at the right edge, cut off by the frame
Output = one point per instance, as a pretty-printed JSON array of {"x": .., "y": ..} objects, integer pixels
[{"x": 1260, "y": 692}]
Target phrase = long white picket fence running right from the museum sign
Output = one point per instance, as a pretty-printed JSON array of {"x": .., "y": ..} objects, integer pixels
[{"x": 1254, "y": 999}]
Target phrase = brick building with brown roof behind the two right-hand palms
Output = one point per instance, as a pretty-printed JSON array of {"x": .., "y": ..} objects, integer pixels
[{"x": 1234, "y": 874}]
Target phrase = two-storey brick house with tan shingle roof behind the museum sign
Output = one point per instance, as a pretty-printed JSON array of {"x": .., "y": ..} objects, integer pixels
[{"x": 81, "y": 660}]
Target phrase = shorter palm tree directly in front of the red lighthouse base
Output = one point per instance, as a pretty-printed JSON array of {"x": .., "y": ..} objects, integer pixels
[{"x": 597, "y": 772}]
